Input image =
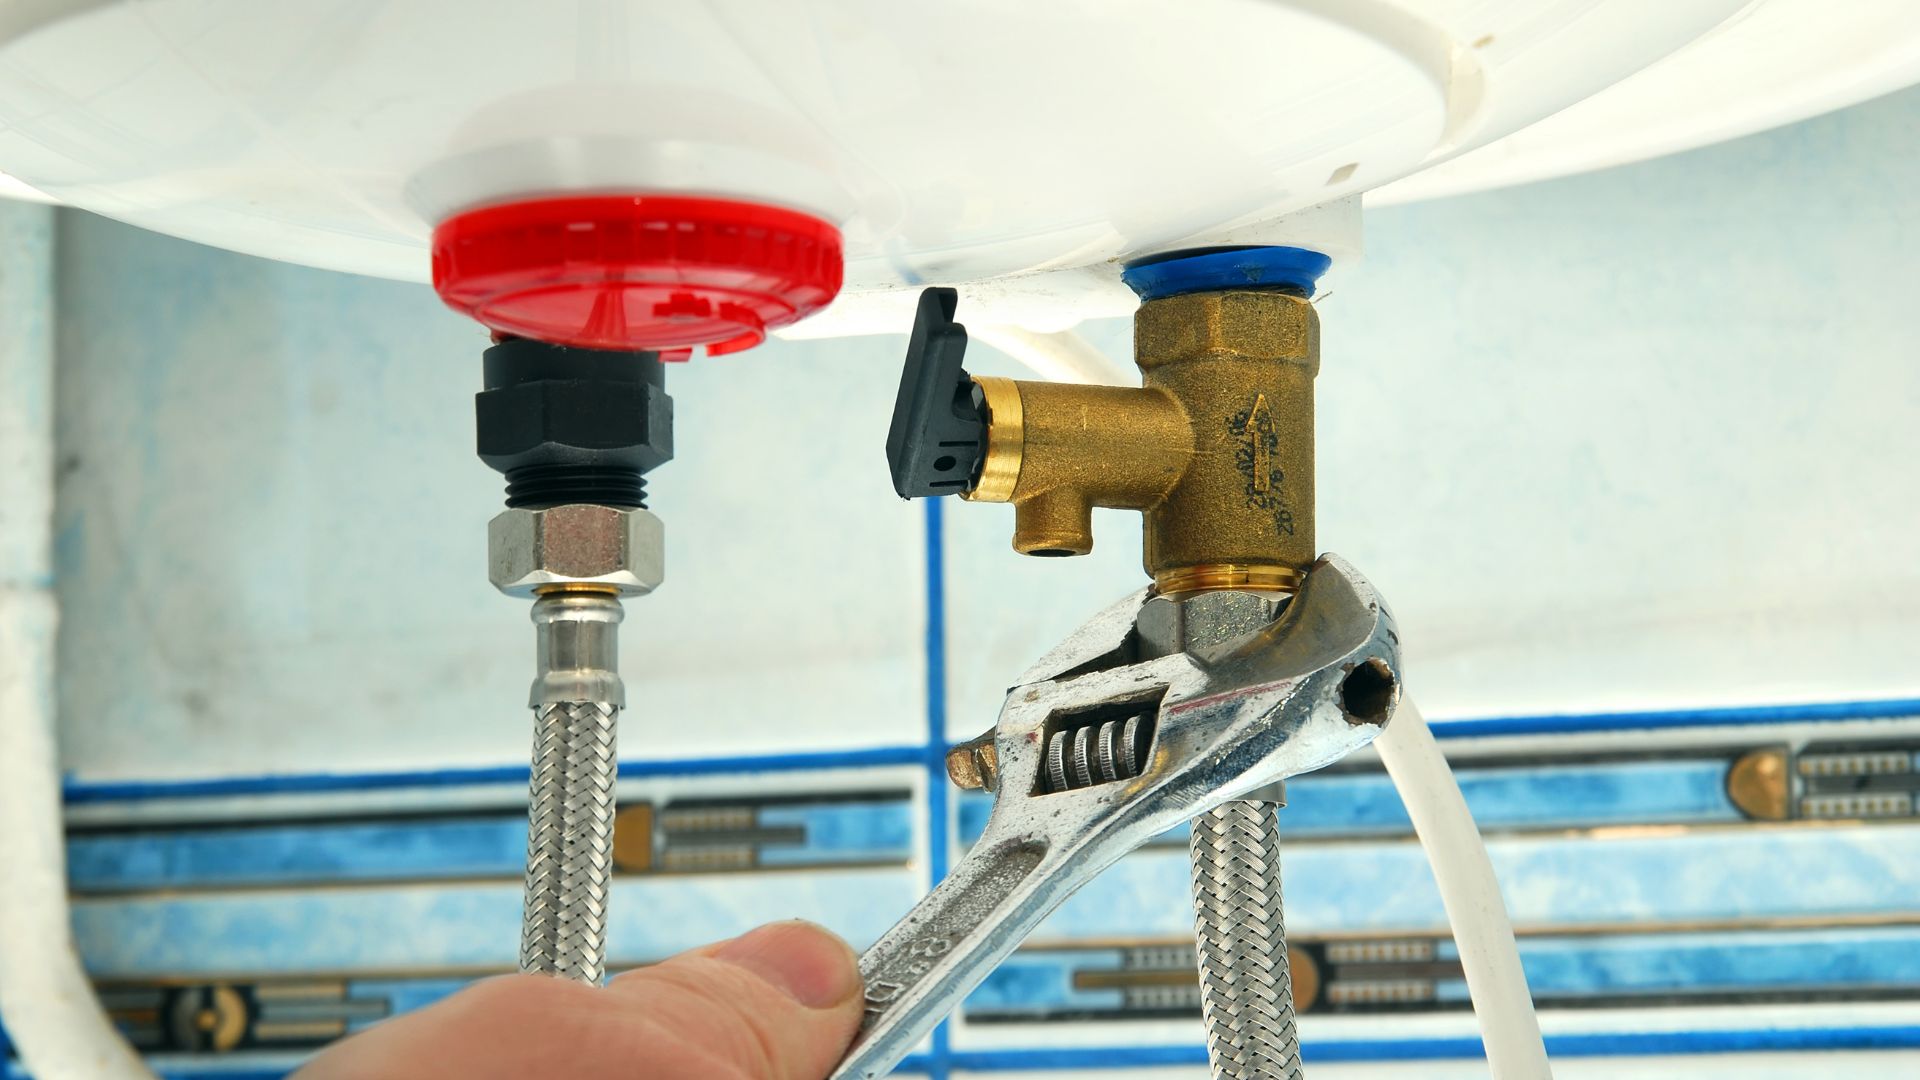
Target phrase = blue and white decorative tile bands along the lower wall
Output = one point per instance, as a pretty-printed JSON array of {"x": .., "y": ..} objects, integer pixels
[{"x": 1662, "y": 906}]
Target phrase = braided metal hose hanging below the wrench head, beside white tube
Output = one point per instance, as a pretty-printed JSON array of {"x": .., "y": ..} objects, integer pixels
[{"x": 1247, "y": 994}]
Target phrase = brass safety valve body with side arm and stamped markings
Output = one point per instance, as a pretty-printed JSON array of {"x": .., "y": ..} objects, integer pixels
[{"x": 1216, "y": 449}]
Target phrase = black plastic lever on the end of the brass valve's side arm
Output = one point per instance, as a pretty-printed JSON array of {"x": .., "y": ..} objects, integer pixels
[{"x": 940, "y": 420}]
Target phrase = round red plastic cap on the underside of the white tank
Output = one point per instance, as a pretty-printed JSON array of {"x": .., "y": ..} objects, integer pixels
[{"x": 638, "y": 272}]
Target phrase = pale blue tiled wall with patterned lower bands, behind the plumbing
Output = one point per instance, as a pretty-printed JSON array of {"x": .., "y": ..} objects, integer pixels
[{"x": 1631, "y": 454}]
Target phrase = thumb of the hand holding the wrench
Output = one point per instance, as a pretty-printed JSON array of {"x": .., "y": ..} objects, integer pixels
[{"x": 777, "y": 1004}]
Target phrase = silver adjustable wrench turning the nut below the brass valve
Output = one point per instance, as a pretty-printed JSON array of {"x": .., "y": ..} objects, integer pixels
[{"x": 1099, "y": 750}]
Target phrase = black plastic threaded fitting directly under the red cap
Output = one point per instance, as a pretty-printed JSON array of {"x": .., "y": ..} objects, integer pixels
[{"x": 573, "y": 426}]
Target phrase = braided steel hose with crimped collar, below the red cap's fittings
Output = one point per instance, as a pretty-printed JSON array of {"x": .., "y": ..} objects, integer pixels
[{"x": 569, "y": 841}]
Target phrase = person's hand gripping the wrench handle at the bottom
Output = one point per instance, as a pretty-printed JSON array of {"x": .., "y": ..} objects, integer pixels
[{"x": 777, "y": 1004}]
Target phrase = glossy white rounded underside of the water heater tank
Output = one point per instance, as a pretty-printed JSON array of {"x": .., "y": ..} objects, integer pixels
[{"x": 1024, "y": 151}]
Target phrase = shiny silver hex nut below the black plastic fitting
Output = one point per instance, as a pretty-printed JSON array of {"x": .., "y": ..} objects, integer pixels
[{"x": 577, "y": 545}]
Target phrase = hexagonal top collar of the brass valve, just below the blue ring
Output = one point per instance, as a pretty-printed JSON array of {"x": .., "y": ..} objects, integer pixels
[{"x": 1260, "y": 326}]
